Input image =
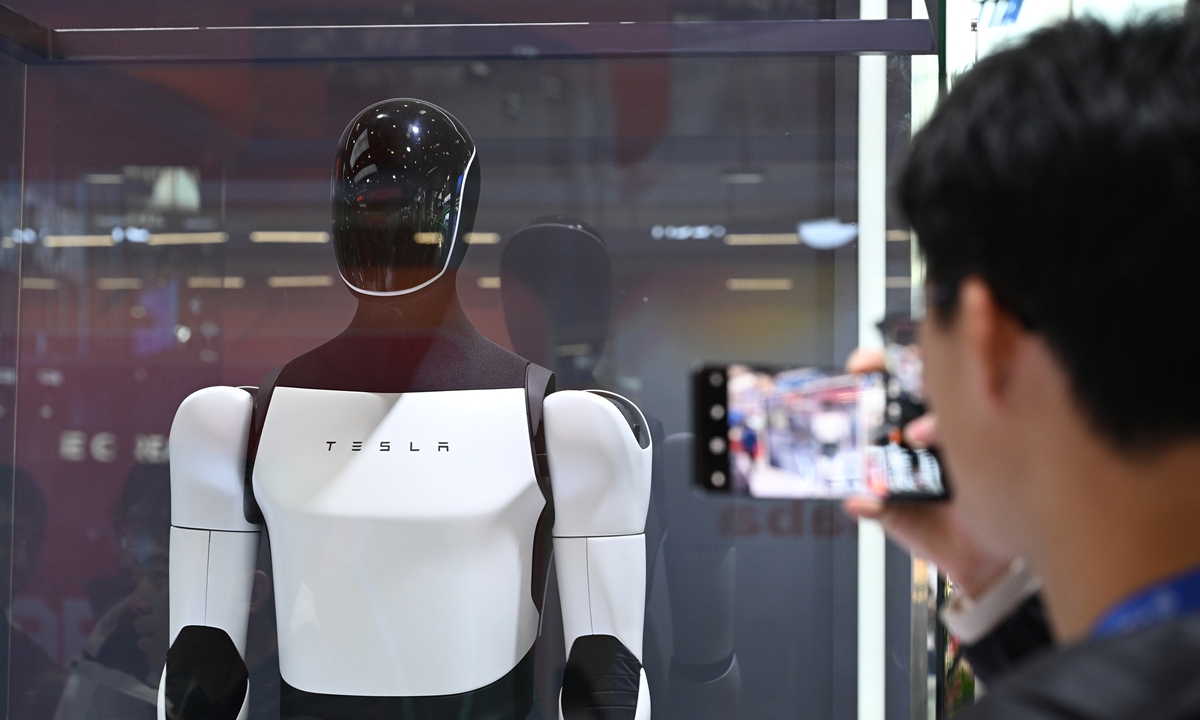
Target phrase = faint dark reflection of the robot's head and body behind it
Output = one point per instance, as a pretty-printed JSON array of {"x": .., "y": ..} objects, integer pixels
[{"x": 557, "y": 295}]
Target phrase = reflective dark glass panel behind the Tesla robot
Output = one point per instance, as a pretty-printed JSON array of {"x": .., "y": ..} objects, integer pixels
[{"x": 179, "y": 238}]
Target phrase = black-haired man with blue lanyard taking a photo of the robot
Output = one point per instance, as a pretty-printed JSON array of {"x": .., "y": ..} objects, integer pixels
[{"x": 1057, "y": 195}]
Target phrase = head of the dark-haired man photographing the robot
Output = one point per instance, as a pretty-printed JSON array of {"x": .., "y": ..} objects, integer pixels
[{"x": 1057, "y": 196}]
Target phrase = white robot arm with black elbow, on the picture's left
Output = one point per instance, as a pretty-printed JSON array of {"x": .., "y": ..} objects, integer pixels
[{"x": 213, "y": 555}]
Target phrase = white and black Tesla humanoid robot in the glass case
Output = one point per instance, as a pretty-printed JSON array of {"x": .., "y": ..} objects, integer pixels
[{"x": 415, "y": 478}]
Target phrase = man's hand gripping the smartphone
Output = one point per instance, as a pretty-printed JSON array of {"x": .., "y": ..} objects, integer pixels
[{"x": 932, "y": 531}]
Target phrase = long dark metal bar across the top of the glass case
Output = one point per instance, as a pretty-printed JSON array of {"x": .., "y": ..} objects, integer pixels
[{"x": 38, "y": 45}]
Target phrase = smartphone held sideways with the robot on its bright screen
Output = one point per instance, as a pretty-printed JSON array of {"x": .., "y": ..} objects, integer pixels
[{"x": 809, "y": 434}]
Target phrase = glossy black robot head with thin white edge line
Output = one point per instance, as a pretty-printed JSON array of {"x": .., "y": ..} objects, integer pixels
[{"x": 406, "y": 185}]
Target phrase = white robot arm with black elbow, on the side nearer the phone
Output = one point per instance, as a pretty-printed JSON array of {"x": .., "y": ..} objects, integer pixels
[{"x": 599, "y": 453}]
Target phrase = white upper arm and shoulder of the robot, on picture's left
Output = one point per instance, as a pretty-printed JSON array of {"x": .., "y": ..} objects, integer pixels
[{"x": 208, "y": 460}]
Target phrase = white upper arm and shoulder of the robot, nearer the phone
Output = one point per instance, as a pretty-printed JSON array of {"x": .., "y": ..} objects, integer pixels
[{"x": 599, "y": 449}]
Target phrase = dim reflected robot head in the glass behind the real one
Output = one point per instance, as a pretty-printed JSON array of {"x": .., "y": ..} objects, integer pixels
[{"x": 557, "y": 295}]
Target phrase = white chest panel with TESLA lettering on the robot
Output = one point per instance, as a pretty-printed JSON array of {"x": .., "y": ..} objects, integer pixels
[{"x": 403, "y": 533}]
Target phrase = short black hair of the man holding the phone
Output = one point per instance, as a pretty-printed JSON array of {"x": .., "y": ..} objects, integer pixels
[{"x": 1066, "y": 175}]
